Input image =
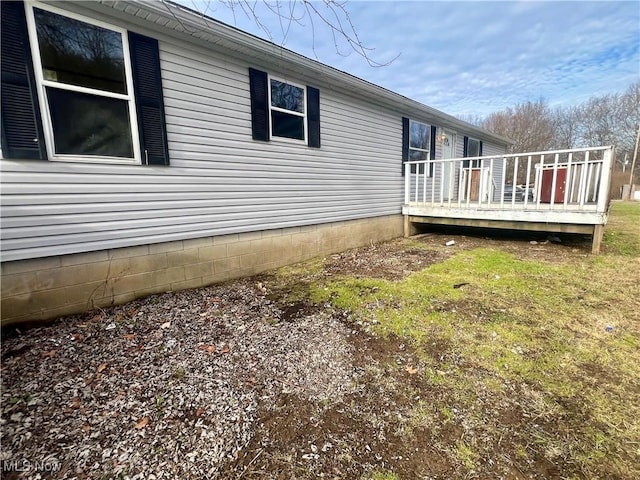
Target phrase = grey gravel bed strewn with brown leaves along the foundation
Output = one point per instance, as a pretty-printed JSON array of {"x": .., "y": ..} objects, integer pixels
[{"x": 164, "y": 387}]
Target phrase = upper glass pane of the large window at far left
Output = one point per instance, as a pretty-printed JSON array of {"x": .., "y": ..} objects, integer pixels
[{"x": 78, "y": 53}]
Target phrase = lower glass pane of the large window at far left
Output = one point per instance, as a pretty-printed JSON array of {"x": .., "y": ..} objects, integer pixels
[{"x": 89, "y": 124}]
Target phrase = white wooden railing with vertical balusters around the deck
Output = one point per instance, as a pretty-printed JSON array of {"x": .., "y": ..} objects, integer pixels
[{"x": 565, "y": 180}]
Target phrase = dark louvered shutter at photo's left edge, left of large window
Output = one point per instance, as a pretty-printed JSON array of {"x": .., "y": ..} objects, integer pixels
[{"x": 22, "y": 132}]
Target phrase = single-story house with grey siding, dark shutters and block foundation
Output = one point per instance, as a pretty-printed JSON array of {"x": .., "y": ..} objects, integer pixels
[{"x": 148, "y": 148}]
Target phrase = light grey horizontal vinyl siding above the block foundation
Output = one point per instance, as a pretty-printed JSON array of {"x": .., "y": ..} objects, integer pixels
[{"x": 220, "y": 181}]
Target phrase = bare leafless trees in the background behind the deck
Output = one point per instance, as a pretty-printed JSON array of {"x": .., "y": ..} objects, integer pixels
[{"x": 610, "y": 119}]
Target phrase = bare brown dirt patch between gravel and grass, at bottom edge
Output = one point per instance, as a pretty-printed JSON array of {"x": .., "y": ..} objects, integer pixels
[{"x": 365, "y": 432}]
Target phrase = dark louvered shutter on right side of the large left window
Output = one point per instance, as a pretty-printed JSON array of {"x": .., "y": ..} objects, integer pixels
[{"x": 147, "y": 86}]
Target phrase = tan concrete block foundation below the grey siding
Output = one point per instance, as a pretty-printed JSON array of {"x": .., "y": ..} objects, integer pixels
[{"x": 45, "y": 288}]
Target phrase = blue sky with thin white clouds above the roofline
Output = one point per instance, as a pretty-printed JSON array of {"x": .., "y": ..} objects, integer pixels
[{"x": 468, "y": 58}]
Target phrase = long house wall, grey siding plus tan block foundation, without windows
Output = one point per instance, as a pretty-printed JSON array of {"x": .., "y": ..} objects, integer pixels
[{"x": 81, "y": 235}]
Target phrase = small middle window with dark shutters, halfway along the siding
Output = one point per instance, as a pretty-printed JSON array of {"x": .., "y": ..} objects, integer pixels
[{"x": 283, "y": 110}]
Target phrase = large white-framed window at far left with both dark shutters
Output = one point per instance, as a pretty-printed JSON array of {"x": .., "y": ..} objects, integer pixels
[{"x": 74, "y": 93}]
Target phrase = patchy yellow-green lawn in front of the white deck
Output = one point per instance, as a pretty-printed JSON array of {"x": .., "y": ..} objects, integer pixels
[{"x": 566, "y": 333}]
